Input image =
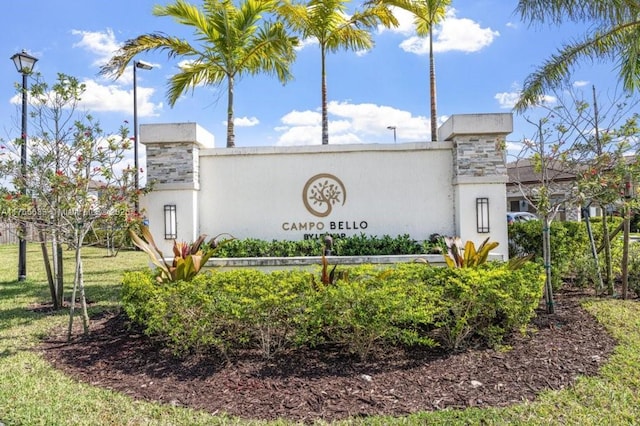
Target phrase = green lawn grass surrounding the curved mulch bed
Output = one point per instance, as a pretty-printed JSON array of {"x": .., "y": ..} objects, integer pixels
[{"x": 34, "y": 393}]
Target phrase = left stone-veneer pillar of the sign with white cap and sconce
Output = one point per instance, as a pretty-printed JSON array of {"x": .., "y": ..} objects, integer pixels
[{"x": 173, "y": 152}]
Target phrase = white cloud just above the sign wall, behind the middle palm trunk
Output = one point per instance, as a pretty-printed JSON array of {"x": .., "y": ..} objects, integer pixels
[{"x": 352, "y": 123}]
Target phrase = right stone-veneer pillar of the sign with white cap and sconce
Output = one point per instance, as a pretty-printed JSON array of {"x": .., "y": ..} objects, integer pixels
[{"x": 479, "y": 171}]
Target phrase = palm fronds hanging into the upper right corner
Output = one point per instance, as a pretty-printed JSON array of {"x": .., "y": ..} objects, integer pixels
[{"x": 616, "y": 38}]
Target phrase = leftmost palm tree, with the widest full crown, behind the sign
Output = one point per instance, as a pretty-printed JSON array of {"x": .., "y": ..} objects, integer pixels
[{"x": 232, "y": 41}]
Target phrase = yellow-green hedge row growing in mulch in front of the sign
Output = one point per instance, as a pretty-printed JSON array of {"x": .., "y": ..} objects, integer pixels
[{"x": 369, "y": 307}]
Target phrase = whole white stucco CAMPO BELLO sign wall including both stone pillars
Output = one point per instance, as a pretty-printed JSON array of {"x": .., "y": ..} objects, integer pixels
[{"x": 303, "y": 192}]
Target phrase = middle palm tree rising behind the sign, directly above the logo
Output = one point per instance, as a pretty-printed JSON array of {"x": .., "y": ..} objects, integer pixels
[{"x": 327, "y": 22}]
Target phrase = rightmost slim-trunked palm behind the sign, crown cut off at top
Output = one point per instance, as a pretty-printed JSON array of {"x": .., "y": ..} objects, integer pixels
[{"x": 427, "y": 14}]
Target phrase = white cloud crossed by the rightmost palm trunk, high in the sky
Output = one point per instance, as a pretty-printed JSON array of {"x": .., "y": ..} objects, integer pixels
[{"x": 453, "y": 34}]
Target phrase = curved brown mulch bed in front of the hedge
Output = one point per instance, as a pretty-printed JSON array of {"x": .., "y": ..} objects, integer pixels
[{"x": 321, "y": 384}]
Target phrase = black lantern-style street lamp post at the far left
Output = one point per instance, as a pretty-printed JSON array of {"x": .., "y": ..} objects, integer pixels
[{"x": 24, "y": 64}]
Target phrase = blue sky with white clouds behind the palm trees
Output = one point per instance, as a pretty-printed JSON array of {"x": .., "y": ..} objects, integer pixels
[{"x": 483, "y": 55}]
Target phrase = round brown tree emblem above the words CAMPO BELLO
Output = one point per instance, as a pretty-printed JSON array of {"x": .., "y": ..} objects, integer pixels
[{"x": 322, "y": 192}]
